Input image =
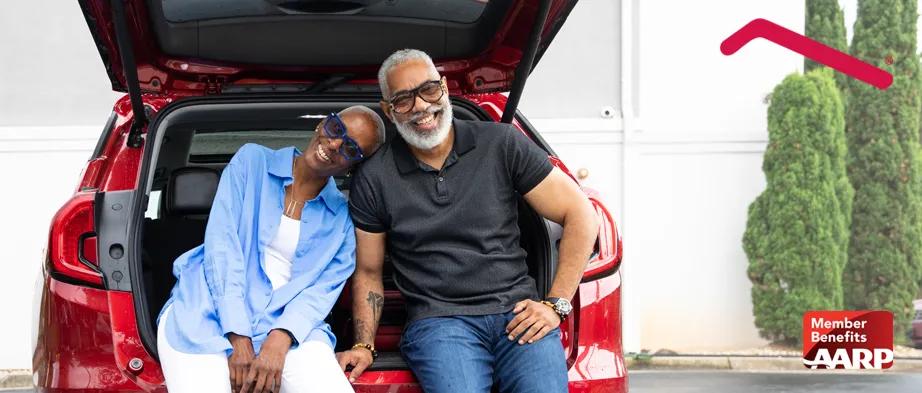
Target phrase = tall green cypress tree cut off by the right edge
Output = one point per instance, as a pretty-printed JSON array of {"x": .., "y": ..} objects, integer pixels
[{"x": 885, "y": 250}]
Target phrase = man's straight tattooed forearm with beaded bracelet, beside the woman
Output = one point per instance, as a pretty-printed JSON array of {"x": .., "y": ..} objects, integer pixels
[{"x": 367, "y": 299}]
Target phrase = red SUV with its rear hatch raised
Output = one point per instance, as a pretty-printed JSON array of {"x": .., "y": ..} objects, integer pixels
[{"x": 204, "y": 79}]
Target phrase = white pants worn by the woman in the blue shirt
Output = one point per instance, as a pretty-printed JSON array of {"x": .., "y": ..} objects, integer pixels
[{"x": 311, "y": 367}]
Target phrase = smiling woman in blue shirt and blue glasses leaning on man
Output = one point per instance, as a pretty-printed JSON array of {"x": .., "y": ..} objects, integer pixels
[{"x": 249, "y": 304}]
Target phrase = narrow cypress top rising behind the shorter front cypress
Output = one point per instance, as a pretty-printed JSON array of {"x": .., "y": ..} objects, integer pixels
[{"x": 825, "y": 23}]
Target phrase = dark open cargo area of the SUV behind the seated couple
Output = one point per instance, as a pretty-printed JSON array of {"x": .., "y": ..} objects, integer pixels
[{"x": 187, "y": 146}]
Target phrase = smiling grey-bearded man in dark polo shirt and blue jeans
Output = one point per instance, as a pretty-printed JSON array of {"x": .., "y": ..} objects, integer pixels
[{"x": 442, "y": 199}]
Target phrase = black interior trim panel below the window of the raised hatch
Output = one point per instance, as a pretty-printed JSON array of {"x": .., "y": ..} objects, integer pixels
[{"x": 328, "y": 39}]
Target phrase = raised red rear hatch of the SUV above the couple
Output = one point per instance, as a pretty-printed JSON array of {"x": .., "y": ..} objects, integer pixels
[{"x": 200, "y": 46}]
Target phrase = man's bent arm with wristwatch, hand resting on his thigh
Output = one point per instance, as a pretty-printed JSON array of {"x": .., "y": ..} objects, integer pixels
[{"x": 558, "y": 199}]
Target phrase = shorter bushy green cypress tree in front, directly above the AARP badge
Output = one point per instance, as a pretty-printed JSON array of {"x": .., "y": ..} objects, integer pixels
[{"x": 796, "y": 231}]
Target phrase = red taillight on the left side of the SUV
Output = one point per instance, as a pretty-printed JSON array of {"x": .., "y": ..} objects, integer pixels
[{"x": 72, "y": 247}]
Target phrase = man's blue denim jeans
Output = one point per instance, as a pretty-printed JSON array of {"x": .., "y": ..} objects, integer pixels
[{"x": 469, "y": 354}]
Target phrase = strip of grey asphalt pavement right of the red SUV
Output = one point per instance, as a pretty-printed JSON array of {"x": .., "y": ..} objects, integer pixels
[{"x": 771, "y": 382}]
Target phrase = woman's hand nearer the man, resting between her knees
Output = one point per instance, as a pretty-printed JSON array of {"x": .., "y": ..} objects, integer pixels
[{"x": 265, "y": 375}]
